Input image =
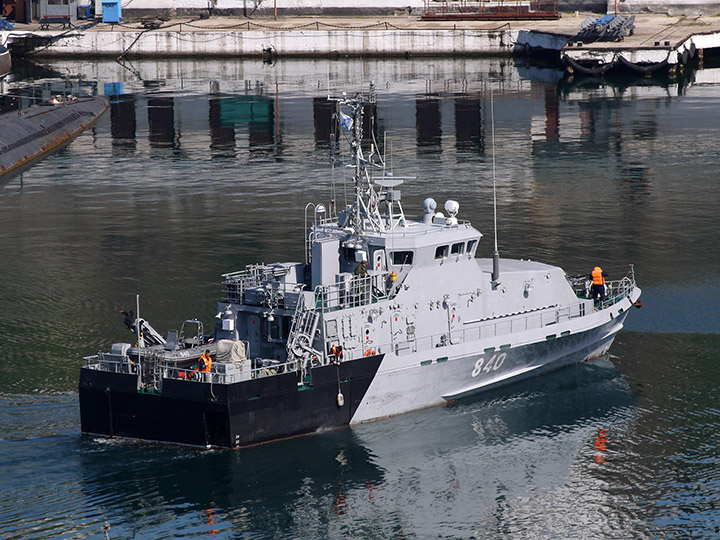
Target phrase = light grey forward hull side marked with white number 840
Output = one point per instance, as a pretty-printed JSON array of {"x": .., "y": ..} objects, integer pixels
[{"x": 434, "y": 377}]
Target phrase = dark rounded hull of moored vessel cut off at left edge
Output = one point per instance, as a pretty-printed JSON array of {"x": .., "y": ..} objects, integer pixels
[{"x": 29, "y": 134}]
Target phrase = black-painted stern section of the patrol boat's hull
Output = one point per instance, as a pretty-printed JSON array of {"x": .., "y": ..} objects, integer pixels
[{"x": 232, "y": 415}]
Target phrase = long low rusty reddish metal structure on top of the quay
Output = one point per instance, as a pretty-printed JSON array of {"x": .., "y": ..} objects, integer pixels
[{"x": 490, "y": 10}]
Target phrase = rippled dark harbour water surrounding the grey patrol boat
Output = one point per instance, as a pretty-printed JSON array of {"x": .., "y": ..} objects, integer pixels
[{"x": 201, "y": 168}]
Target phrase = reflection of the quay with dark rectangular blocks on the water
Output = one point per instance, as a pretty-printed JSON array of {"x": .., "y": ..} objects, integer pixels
[{"x": 243, "y": 115}]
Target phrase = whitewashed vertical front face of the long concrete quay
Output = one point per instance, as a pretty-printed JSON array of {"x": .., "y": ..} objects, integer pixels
[{"x": 334, "y": 44}]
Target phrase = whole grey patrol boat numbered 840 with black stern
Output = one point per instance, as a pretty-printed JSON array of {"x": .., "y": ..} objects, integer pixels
[{"x": 303, "y": 346}]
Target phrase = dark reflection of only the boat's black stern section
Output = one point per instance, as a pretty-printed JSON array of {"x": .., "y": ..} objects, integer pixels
[{"x": 252, "y": 488}]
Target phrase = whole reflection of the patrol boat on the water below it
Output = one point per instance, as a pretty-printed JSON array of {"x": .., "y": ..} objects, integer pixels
[{"x": 275, "y": 489}]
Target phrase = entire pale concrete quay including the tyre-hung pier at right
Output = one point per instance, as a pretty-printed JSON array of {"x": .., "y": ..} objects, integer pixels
[{"x": 656, "y": 36}]
